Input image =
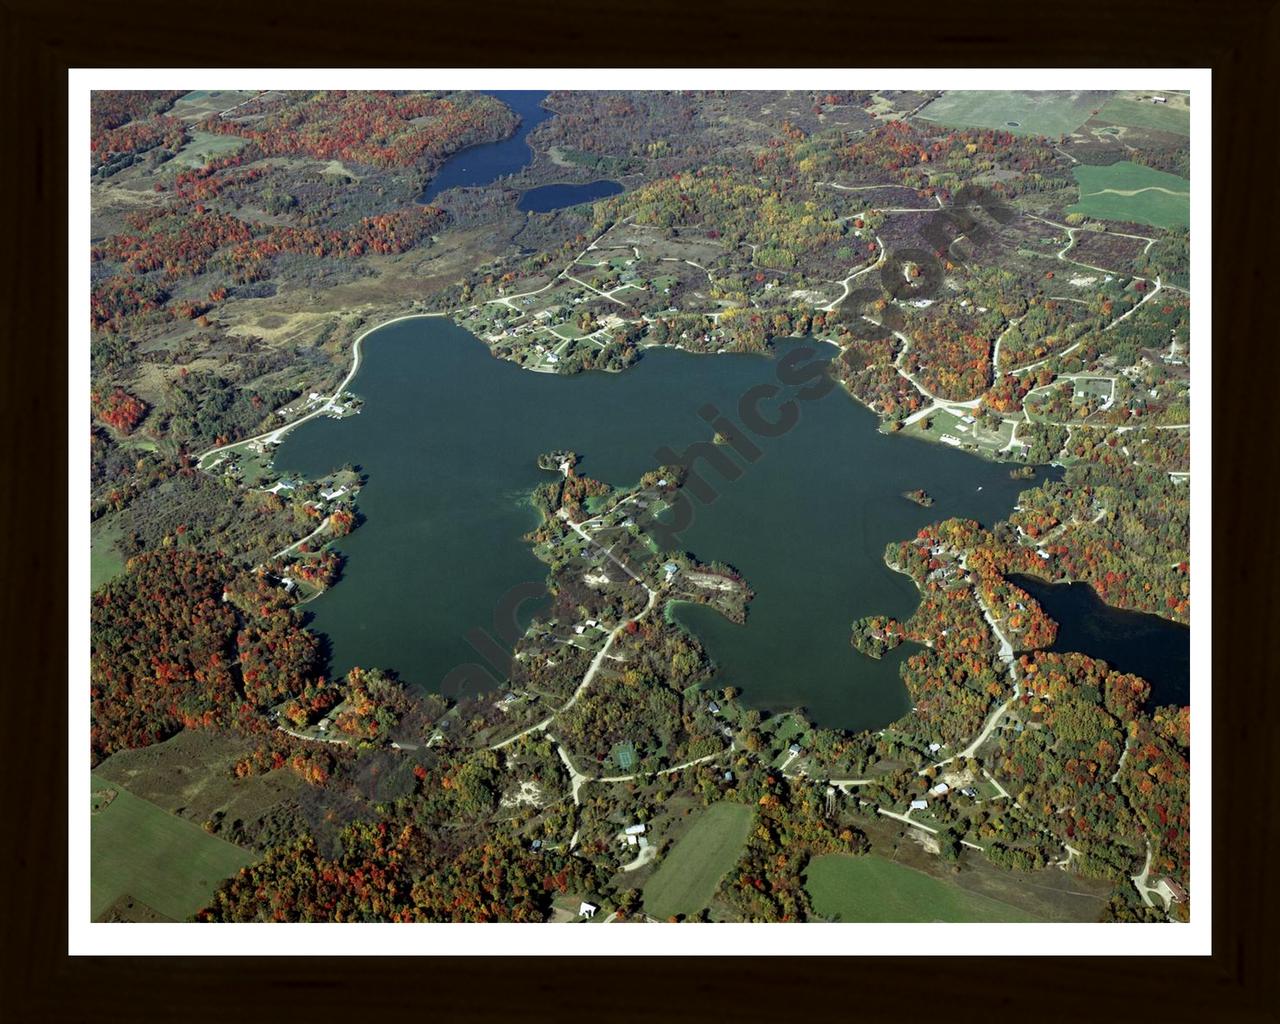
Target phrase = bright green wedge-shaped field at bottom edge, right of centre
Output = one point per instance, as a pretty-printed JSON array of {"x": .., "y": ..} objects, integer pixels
[{"x": 870, "y": 889}]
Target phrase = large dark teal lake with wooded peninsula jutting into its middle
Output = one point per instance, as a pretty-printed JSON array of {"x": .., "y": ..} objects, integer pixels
[{"x": 450, "y": 437}]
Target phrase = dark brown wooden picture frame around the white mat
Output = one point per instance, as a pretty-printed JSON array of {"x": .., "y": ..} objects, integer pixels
[{"x": 1240, "y": 40}]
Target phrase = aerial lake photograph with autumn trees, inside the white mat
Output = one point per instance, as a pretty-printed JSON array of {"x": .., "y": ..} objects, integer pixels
[{"x": 629, "y": 506}]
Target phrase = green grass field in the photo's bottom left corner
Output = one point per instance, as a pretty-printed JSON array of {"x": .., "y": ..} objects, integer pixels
[{"x": 166, "y": 862}]
